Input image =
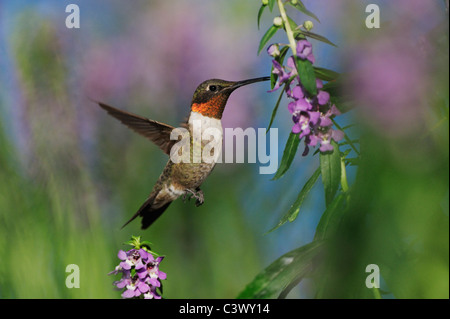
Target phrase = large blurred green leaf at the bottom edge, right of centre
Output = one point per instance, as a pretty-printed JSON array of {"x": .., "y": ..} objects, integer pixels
[{"x": 277, "y": 276}]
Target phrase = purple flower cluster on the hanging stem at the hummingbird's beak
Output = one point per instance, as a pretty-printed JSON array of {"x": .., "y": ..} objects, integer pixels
[{"x": 311, "y": 114}]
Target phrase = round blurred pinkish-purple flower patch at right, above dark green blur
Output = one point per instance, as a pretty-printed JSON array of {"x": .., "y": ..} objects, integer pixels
[{"x": 389, "y": 85}]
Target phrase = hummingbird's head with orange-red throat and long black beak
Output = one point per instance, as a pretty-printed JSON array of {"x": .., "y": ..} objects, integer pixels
[{"x": 211, "y": 96}]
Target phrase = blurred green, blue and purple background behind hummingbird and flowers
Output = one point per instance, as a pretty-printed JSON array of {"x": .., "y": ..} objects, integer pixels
[{"x": 70, "y": 175}]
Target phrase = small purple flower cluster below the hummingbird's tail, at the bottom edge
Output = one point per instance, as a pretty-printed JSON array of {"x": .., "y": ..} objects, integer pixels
[{"x": 140, "y": 273}]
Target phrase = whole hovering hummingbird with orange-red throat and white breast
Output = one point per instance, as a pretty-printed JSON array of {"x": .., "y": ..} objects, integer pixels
[{"x": 181, "y": 179}]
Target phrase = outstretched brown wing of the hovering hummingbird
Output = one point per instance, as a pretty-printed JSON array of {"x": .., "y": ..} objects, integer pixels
[{"x": 158, "y": 133}]
